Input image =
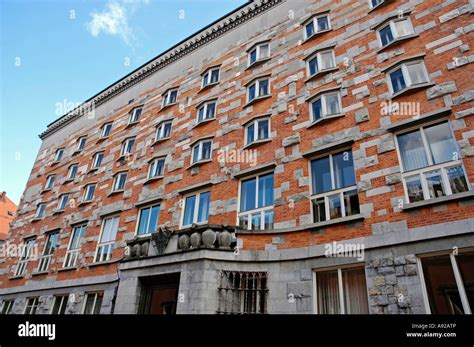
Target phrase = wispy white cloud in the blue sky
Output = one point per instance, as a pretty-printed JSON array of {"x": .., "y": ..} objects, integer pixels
[{"x": 113, "y": 20}]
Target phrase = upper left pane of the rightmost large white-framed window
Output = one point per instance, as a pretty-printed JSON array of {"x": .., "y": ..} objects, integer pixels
[{"x": 412, "y": 151}]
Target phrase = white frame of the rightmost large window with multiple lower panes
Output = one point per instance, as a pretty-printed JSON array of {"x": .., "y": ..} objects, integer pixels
[{"x": 442, "y": 167}]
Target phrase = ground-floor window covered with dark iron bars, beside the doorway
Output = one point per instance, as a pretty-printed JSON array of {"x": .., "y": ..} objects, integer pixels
[{"x": 242, "y": 292}]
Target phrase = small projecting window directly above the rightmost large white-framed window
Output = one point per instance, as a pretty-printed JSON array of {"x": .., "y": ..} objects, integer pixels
[{"x": 407, "y": 75}]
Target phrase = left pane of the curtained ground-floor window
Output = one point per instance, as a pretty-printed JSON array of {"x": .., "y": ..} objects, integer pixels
[{"x": 328, "y": 292}]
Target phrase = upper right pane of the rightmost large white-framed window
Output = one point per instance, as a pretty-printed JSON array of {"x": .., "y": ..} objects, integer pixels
[{"x": 442, "y": 144}]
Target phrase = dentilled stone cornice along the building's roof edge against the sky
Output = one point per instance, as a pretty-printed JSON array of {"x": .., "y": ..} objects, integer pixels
[{"x": 185, "y": 47}]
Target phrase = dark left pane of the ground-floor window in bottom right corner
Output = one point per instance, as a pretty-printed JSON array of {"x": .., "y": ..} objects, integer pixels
[{"x": 443, "y": 294}]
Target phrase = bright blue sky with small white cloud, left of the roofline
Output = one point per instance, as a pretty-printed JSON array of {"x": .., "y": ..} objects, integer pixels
[{"x": 58, "y": 53}]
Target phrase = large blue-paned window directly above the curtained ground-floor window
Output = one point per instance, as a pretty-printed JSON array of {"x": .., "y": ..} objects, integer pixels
[{"x": 334, "y": 189}]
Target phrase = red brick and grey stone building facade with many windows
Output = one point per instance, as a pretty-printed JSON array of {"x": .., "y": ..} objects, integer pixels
[{"x": 292, "y": 157}]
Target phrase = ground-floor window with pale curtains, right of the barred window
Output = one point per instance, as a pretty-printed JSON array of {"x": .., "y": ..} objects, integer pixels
[{"x": 341, "y": 291}]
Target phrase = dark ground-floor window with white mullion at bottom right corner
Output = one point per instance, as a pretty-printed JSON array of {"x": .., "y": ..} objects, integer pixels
[{"x": 449, "y": 282}]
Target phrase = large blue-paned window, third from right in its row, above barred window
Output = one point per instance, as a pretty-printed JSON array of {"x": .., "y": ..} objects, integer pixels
[{"x": 256, "y": 203}]
